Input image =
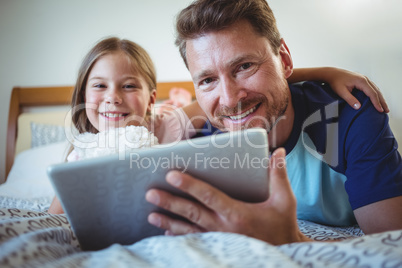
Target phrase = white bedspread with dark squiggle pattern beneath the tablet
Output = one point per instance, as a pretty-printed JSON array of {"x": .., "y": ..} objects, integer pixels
[{"x": 30, "y": 237}]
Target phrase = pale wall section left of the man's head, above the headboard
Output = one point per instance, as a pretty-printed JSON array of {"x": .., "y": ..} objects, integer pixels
[{"x": 42, "y": 42}]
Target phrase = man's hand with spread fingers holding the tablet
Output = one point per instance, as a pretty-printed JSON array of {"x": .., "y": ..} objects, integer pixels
[{"x": 273, "y": 221}]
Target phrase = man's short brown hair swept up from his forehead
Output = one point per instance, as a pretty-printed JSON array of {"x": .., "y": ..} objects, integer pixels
[{"x": 204, "y": 16}]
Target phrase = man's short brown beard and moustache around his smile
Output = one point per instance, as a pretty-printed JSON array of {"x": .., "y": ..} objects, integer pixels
[{"x": 273, "y": 115}]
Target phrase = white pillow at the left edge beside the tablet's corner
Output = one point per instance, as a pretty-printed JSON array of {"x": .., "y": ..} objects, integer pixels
[{"x": 28, "y": 178}]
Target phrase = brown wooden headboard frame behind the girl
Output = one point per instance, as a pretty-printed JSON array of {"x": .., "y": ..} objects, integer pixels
[{"x": 22, "y": 97}]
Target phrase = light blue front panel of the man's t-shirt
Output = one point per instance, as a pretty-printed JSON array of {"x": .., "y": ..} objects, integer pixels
[{"x": 324, "y": 200}]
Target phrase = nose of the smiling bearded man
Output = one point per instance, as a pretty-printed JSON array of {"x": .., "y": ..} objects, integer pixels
[{"x": 231, "y": 93}]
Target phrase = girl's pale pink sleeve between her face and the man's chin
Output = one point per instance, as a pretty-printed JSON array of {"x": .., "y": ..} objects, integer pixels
[{"x": 172, "y": 126}]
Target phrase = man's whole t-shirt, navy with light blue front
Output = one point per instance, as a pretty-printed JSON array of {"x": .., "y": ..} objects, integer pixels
[{"x": 339, "y": 159}]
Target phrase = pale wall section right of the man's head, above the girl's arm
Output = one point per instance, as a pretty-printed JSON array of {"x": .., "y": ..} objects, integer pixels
[{"x": 359, "y": 35}]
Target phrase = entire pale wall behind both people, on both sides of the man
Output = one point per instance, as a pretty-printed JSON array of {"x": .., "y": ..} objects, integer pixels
[{"x": 42, "y": 42}]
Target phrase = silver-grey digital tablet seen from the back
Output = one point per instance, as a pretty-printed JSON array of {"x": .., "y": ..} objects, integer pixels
[{"x": 104, "y": 197}]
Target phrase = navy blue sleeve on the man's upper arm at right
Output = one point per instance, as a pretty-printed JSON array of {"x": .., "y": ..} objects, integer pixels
[{"x": 373, "y": 163}]
